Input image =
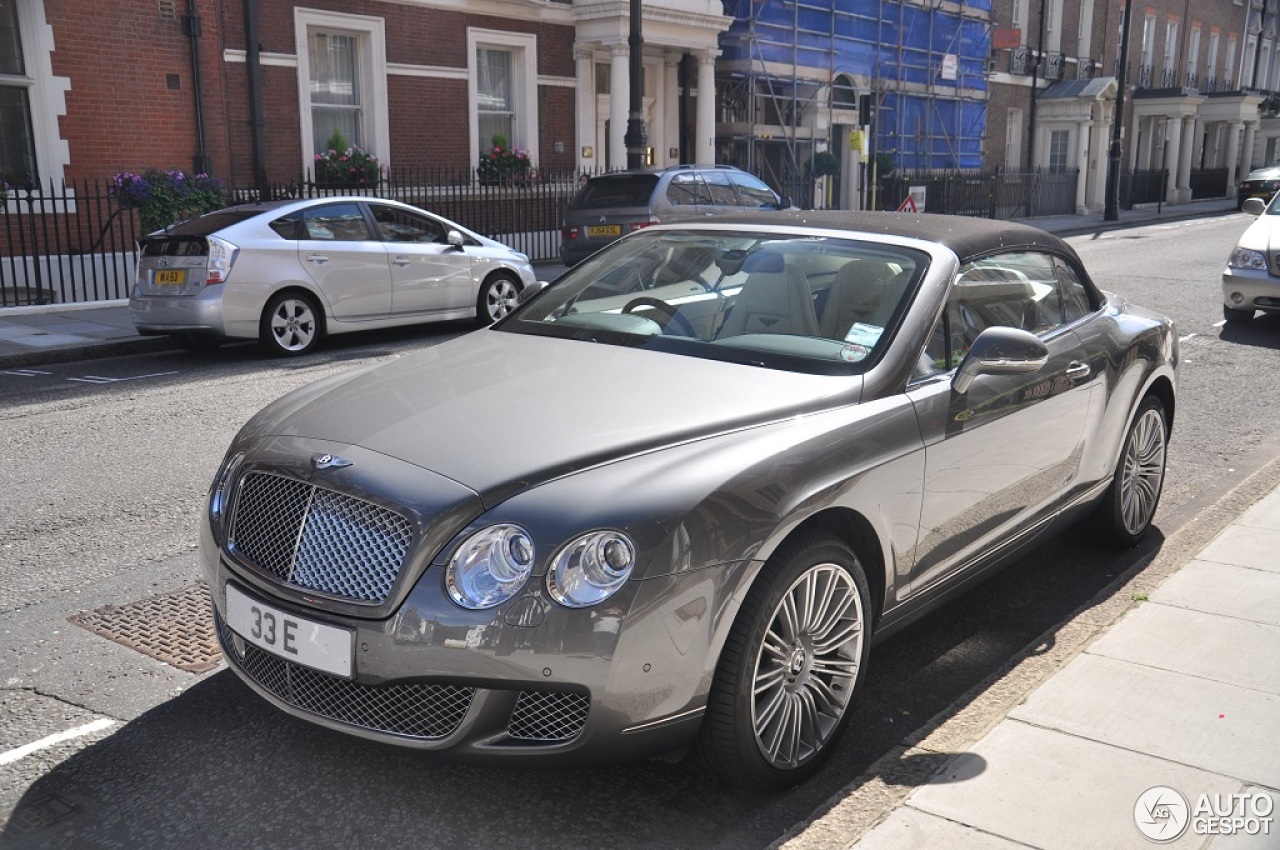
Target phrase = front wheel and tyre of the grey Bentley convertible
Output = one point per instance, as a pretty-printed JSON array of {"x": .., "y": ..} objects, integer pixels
[{"x": 781, "y": 697}]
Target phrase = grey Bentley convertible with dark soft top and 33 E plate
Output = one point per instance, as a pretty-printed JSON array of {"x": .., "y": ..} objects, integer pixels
[{"x": 751, "y": 450}]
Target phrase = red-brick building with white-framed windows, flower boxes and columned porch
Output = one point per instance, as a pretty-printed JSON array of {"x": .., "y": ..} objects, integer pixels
[{"x": 125, "y": 85}]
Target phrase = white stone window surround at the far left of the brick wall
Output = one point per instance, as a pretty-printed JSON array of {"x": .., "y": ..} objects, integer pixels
[{"x": 47, "y": 95}]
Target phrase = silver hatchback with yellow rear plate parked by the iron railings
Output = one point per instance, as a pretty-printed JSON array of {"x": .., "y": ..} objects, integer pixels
[{"x": 289, "y": 273}]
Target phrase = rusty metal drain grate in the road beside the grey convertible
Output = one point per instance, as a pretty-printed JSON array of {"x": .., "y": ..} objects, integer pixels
[{"x": 173, "y": 628}]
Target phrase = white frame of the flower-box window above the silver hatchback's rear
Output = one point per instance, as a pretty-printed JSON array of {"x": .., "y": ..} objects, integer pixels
[{"x": 372, "y": 56}]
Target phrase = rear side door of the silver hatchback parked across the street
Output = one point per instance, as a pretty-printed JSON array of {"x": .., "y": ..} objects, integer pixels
[{"x": 346, "y": 262}]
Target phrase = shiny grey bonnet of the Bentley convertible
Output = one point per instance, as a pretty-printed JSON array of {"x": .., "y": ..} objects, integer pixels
[{"x": 500, "y": 413}]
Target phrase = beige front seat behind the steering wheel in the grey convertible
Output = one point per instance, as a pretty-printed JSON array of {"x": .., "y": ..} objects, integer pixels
[{"x": 775, "y": 300}]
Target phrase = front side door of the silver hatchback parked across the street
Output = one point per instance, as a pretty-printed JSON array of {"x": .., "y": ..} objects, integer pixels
[{"x": 428, "y": 273}]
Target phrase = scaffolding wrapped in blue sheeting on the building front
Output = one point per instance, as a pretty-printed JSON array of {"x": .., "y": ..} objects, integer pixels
[{"x": 794, "y": 70}]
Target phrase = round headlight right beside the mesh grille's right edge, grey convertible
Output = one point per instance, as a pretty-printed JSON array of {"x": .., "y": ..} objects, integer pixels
[{"x": 491, "y": 566}]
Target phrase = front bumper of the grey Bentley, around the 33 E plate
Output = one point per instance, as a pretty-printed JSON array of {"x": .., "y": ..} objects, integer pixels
[{"x": 486, "y": 684}]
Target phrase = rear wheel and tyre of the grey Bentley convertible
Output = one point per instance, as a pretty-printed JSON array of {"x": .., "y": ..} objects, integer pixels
[{"x": 1127, "y": 510}]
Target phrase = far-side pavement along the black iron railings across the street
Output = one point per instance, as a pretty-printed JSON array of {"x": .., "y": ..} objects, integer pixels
[{"x": 61, "y": 333}]
